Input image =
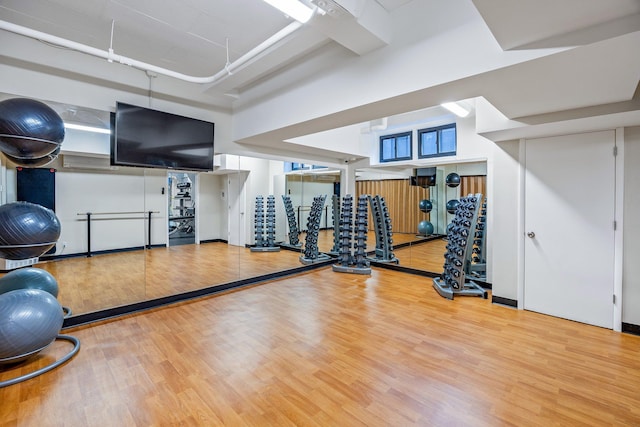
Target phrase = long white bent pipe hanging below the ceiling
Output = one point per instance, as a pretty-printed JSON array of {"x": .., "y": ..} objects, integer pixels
[{"x": 111, "y": 56}]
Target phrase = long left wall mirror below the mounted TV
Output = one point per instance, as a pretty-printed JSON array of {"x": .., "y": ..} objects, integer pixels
[{"x": 131, "y": 235}]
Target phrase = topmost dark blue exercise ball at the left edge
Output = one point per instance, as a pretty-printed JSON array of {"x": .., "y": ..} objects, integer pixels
[{"x": 29, "y": 129}]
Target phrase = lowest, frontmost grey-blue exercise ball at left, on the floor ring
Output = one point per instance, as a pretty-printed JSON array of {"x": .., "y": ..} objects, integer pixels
[{"x": 30, "y": 320}]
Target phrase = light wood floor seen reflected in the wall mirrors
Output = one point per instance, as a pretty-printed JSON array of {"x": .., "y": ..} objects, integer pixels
[{"x": 113, "y": 280}]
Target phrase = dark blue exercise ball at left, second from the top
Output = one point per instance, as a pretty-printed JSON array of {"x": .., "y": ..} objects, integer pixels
[{"x": 27, "y": 230}]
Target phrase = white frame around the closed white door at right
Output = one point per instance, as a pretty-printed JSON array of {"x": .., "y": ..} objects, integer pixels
[{"x": 618, "y": 214}]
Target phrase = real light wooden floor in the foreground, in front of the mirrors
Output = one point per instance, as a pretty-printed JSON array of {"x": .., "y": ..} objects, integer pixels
[{"x": 332, "y": 349}]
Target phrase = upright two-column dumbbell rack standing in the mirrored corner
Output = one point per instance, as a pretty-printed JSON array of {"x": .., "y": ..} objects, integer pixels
[{"x": 357, "y": 262}]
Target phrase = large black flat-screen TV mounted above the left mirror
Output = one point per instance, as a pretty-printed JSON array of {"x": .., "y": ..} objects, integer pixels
[{"x": 150, "y": 138}]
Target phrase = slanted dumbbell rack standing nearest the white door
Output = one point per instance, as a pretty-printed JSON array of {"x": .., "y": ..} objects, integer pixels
[{"x": 460, "y": 241}]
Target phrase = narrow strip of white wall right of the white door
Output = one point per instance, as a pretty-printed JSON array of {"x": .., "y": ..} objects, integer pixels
[{"x": 631, "y": 267}]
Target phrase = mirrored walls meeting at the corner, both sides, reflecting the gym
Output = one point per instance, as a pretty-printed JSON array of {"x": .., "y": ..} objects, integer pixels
[{"x": 131, "y": 235}]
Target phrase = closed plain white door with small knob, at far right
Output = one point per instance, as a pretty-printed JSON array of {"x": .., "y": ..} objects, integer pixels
[{"x": 569, "y": 235}]
